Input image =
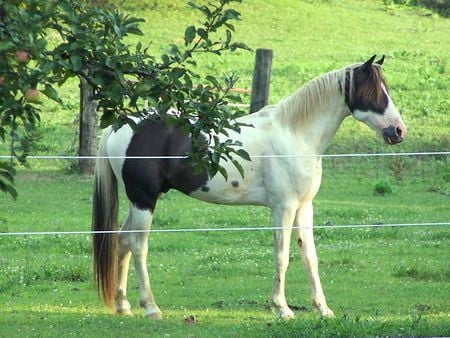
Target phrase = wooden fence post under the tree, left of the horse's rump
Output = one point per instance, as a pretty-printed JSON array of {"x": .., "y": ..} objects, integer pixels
[{"x": 88, "y": 128}]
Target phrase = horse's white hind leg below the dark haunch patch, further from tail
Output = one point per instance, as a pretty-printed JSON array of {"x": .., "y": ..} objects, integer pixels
[{"x": 141, "y": 220}]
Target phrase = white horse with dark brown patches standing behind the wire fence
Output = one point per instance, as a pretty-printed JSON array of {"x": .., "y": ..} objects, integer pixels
[{"x": 303, "y": 123}]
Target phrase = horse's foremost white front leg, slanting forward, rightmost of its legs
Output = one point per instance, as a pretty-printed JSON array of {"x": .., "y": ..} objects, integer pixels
[{"x": 305, "y": 239}]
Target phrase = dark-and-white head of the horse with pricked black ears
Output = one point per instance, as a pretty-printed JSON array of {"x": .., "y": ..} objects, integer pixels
[{"x": 368, "y": 99}]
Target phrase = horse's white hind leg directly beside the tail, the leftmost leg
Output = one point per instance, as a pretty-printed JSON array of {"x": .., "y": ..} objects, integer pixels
[{"x": 123, "y": 307}]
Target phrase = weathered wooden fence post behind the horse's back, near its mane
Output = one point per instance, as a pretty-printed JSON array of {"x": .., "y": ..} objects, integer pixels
[{"x": 261, "y": 79}]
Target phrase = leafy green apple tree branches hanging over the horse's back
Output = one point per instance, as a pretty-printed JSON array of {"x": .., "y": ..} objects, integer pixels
[{"x": 91, "y": 46}]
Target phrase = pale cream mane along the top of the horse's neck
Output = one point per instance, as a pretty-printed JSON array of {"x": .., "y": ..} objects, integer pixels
[{"x": 298, "y": 108}]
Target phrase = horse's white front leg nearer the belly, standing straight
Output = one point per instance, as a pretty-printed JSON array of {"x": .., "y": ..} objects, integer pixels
[{"x": 283, "y": 217}]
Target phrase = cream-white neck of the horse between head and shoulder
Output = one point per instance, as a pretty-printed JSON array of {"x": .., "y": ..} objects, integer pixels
[{"x": 315, "y": 118}]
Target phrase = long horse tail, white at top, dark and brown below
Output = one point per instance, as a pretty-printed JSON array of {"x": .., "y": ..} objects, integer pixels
[{"x": 104, "y": 219}]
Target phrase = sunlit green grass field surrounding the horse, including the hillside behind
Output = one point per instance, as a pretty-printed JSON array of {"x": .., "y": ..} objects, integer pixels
[{"x": 379, "y": 281}]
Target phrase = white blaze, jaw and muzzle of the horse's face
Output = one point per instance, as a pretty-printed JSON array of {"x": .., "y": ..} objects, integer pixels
[{"x": 388, "y": 124}]
